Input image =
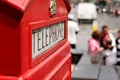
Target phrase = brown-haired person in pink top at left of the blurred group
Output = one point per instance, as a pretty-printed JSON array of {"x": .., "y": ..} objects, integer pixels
[{"x": 94, "y": 47}]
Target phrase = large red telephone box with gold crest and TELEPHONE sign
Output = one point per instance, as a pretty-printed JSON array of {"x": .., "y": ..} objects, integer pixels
[{"x": 33, "y": 40}]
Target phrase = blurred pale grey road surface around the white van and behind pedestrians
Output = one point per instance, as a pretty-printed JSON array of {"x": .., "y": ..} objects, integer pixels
[{"x": 86, "y": 29}]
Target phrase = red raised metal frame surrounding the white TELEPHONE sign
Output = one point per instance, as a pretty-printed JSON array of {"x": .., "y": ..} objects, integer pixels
[{"x": 36, "y": 25}]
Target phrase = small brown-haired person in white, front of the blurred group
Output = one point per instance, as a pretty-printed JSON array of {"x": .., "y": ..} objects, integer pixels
[{"x": 110, "y": 53}]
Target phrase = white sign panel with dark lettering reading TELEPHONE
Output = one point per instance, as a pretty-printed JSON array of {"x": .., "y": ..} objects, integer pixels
[{"x": 47, "y": 37}]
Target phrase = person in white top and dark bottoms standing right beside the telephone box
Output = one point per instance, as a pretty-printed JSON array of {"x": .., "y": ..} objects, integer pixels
[{"x": 73, "y": 30}]
